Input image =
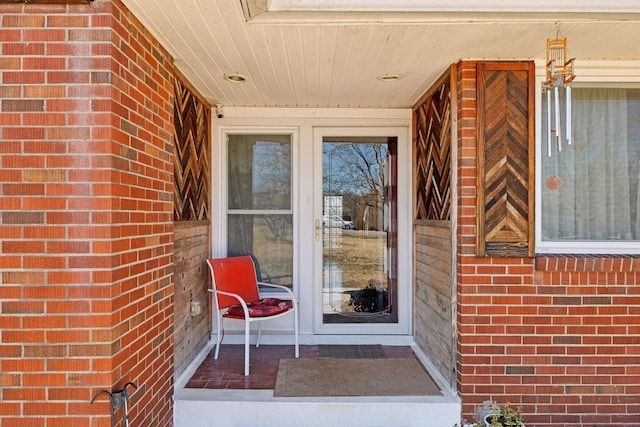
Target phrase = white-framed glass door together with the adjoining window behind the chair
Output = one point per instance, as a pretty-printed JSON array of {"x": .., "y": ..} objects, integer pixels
[{"x": 324, "y": 210}]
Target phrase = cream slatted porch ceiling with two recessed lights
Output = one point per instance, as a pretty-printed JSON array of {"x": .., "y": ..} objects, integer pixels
[{"x": 322, "y": 58}]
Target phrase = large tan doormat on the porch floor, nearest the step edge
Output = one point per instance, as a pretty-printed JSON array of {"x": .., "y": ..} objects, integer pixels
[{"x": 353, "y": 377}]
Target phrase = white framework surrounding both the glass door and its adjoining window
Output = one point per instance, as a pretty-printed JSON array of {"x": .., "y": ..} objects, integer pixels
[{"x": 301, "y": 122}]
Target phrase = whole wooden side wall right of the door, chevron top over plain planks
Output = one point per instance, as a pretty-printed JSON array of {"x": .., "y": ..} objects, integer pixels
[{"x": 433, "y": 249}]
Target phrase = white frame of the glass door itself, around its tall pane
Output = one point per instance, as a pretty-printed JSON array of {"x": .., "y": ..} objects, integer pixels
[{"x": 404, "y": 213}]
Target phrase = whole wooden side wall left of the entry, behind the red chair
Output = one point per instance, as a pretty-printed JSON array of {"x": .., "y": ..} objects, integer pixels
[{"x": 192, "y": 197}]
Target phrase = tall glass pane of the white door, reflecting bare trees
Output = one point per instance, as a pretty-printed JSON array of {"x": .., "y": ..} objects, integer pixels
[{"x": 359, "y": 229}]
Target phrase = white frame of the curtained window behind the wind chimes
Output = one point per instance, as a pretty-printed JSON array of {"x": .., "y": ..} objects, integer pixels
[{"x": 588, "y": 74}]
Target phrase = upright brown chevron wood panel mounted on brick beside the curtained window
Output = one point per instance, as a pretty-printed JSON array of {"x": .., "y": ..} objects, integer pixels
[{"x": 505, "y": 159}]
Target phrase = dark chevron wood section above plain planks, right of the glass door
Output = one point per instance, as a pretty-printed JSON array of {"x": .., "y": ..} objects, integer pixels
[{"x": 432, "y": 152}]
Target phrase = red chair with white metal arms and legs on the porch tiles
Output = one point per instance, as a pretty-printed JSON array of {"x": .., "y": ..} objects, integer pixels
[{"x": 235, "y": 295}]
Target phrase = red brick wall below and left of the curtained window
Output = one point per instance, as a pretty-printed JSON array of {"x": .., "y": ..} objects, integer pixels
[{"x": 558, "y": 335}]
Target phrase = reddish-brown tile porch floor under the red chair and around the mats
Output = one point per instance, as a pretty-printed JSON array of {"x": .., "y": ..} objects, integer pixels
[{"x": 228, "y": 371}]
